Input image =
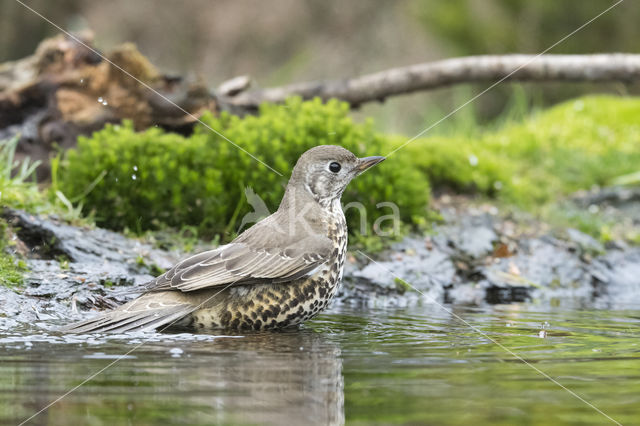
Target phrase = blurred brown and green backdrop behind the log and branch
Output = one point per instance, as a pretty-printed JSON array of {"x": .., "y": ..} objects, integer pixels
[{"x": 285, "y": 41}]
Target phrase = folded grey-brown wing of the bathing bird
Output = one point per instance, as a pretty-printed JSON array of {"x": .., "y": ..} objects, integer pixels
[{"x": 246, "y": 262}]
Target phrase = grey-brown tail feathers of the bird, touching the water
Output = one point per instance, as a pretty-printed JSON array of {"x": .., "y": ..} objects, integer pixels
[{"x": 146, "y": 313}]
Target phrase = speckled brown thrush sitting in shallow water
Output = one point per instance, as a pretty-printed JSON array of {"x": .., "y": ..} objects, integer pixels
[{"x": 279, "y": 273}]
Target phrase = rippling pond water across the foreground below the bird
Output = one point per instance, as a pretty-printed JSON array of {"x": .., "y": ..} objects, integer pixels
[{"x": 404, "y": 366}]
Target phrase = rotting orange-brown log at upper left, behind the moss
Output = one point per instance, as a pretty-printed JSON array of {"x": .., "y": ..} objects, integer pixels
[{"x": 65, "y": 89}]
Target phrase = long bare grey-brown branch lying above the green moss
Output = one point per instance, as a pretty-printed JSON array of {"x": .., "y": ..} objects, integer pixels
[{"x": 433, "y": 75}]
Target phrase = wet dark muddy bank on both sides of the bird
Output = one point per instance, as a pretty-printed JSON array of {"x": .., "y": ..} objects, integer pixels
[{"x": 475, "y": 256}]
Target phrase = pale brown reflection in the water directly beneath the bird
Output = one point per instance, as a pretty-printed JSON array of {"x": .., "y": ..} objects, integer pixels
[{"x": 295, "y": 378}]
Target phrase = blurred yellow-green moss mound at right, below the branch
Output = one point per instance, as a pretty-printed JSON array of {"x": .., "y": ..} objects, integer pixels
[{"x": 575, "y": 145}]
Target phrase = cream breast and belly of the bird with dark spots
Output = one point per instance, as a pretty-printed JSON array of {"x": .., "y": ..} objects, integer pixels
[{"x": 269, "y": 306}]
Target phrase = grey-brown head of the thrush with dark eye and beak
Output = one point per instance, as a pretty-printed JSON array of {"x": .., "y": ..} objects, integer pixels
[{"x": 326, "y": 170}]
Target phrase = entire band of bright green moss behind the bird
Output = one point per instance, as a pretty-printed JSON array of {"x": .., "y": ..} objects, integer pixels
[{"x": 156, "y": 180}]
